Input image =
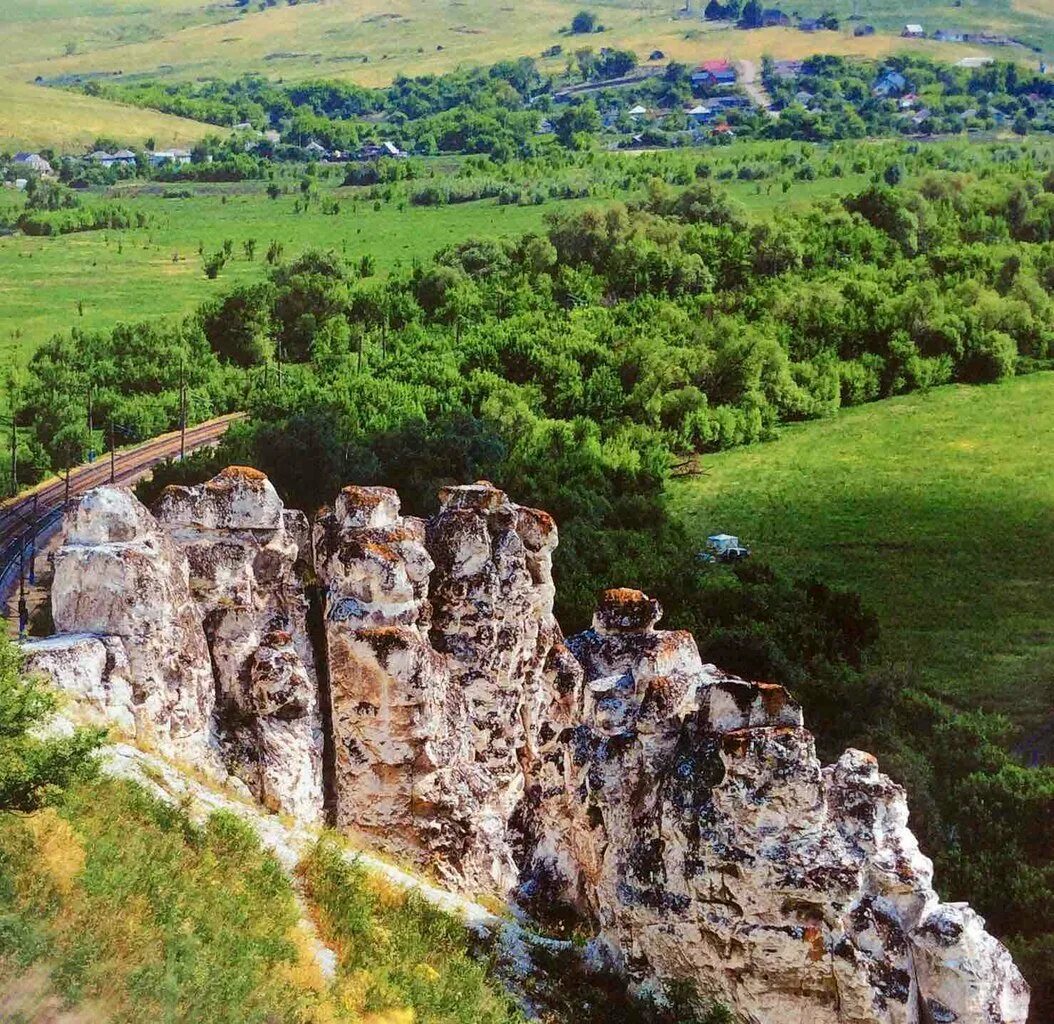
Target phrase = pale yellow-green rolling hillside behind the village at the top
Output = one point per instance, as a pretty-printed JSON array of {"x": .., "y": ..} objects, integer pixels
[{"x": 373, "y": 42}]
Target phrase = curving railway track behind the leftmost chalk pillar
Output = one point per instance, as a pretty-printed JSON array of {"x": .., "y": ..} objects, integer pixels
[{"x": 30, "y": 519}]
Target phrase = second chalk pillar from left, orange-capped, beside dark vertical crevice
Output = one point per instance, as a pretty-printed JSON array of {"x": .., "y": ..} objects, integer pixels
[{"x": 242, "y": 548}]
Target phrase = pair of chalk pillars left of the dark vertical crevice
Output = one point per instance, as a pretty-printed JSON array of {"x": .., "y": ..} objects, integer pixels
[{"x": 189, "y": 632}]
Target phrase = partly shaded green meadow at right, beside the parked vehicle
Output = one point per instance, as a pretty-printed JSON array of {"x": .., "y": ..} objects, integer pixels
[{"x": 939, "y": 508}]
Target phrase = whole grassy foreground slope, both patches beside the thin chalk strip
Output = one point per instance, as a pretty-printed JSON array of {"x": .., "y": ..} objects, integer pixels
[{"x": 118, "y": 909}]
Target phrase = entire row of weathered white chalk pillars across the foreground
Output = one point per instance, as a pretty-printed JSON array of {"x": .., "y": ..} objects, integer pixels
[{"x": 680, "y": 811}]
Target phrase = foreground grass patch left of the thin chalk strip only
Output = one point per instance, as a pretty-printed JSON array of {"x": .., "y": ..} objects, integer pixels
[{"x": 125, "y": 903}]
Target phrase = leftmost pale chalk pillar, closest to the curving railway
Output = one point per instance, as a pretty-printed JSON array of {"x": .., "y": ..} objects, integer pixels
[{"x": 120, "y": 578}]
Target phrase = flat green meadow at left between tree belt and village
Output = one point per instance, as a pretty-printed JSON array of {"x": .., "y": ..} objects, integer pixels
[{"x": 158, "y": 272}]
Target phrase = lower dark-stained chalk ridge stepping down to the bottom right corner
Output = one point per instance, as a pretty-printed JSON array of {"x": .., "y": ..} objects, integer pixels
[{"x": 698, "y": 829}]
